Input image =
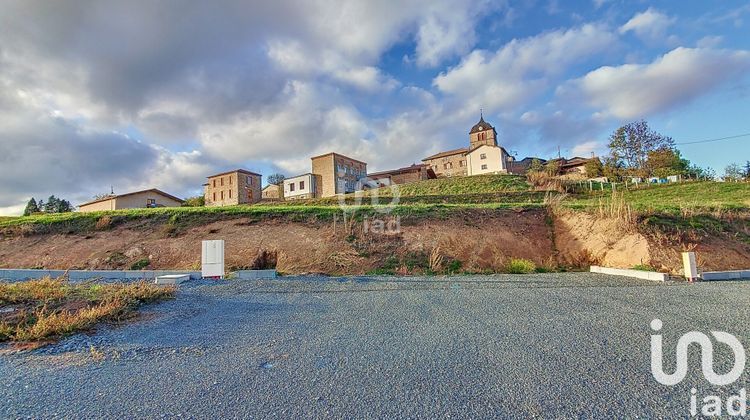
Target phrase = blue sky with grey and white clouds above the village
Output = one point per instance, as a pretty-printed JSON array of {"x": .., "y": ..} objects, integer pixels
[{"x": 160, "y": 94}]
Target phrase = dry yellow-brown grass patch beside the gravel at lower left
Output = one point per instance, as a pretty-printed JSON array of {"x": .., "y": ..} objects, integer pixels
[{"x": 42, "y": 310}]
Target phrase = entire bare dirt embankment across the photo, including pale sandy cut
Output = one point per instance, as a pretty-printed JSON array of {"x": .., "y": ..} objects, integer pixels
[{"x": 472, "y": 240}]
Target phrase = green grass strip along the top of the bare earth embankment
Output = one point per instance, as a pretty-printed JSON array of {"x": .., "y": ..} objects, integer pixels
[{"x": 425, "y": 198}]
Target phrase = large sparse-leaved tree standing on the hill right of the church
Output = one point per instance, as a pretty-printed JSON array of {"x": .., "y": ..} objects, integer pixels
[{"x": 630, "y": 144}]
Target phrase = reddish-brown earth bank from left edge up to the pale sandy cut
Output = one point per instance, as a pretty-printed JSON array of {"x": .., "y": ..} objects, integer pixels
[{"x": 480, "y": 240}]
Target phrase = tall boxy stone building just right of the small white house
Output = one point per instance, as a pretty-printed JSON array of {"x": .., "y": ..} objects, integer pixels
[{"x": 338, "y": 174}]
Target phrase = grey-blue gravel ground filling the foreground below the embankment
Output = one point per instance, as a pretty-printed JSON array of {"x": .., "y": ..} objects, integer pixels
[{"x": 548, "y": 345}]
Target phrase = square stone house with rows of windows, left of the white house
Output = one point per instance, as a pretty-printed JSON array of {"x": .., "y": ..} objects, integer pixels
[{"x": 233, "y": 188}]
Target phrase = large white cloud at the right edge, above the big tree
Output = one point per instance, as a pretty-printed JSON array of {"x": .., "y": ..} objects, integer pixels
[{"x": 636, "y": 90}]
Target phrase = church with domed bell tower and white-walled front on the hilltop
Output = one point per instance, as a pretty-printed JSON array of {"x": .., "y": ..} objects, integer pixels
[{"x": 483, "y": 156}]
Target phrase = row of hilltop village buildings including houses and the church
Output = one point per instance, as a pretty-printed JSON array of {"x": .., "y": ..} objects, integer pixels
[{"x": 333, "y": 173}]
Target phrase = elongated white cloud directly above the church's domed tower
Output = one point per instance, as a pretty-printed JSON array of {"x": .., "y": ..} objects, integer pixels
[{"x": 521, "y": 69}]
